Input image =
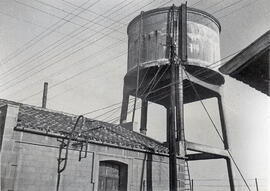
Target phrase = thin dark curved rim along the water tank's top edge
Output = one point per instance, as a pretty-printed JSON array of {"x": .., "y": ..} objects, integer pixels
[{"x": 189, "y": 9}]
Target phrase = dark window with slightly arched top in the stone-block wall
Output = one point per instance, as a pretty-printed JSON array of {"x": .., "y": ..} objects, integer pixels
[{"x": 112, "y": 176}]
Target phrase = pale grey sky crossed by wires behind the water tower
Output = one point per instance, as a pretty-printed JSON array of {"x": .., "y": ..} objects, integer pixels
[{"x": 79, "y": 47}]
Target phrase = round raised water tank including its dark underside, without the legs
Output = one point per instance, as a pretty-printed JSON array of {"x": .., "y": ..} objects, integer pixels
[{"x": 148, "y": 48}]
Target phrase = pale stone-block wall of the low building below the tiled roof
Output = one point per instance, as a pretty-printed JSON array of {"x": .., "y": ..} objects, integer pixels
[{"x": 29, "y": 163}]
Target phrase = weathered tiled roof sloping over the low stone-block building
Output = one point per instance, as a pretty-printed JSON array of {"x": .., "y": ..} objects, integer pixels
[{"x": 53, "y": 122}]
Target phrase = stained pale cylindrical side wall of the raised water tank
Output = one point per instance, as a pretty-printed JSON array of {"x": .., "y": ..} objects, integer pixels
[{"x": 147, "y": 42}]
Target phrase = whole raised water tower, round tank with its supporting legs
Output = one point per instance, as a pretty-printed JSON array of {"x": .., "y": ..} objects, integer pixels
[{"x": 172, "y": 54}]
